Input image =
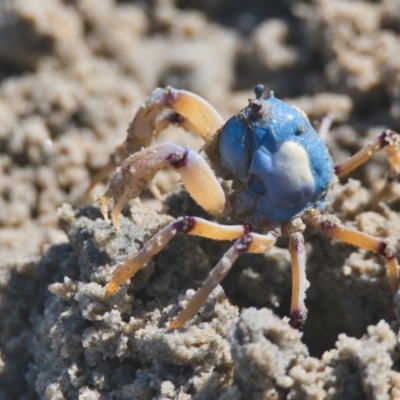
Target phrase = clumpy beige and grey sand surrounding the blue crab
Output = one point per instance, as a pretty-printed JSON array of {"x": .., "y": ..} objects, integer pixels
[{"x": 72, "y": 73}]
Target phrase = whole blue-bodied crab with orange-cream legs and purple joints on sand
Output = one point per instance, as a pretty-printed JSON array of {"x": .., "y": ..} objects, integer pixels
[{"x": 280, "y": 169}]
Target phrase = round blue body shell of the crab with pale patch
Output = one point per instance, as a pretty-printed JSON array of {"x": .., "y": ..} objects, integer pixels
[{"x": 281, "y": 165}]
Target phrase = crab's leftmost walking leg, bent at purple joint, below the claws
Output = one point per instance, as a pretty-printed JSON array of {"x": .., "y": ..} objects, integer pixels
[{"x": 187, "y": 225}]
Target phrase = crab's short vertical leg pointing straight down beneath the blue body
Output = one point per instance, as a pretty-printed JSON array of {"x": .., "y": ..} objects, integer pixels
[{"x": 298, "y": 310}]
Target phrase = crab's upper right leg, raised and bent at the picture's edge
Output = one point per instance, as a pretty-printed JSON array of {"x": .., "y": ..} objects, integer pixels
[{"x": 388, "y": 139}]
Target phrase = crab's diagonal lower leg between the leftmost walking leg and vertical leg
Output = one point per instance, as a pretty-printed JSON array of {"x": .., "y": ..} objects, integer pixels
[{"x": 249, "y": 242}]
